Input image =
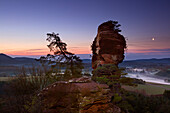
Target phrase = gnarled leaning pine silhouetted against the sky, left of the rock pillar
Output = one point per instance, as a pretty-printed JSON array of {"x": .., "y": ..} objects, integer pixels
[{"x": 71, "y": 62}]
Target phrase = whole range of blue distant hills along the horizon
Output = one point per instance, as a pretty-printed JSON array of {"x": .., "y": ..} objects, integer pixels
[{"x": 7, "y": 60}]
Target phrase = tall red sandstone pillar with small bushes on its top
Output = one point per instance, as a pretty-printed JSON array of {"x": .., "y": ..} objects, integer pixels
[{"x": 108, "y": 46}]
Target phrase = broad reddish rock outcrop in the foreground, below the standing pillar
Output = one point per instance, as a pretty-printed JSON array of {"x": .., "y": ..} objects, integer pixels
[{"x": 79, "y": 95}]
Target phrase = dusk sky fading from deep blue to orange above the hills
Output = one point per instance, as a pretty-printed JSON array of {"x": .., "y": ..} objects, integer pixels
[{"x": 25, "y": 23}]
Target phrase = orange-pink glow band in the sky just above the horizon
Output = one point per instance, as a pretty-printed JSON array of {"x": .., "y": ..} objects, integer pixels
[{"x": 75, "y": 50}]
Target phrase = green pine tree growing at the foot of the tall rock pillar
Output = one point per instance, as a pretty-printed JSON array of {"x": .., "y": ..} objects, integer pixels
[{"x": 113, "y": 76}]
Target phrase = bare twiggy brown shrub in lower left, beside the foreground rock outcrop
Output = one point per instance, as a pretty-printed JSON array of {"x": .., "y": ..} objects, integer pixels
[{"x": 21, "y": 92}]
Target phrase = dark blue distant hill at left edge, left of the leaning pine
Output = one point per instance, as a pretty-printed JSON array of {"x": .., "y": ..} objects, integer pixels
[{"x": 7, "y": 60}]
